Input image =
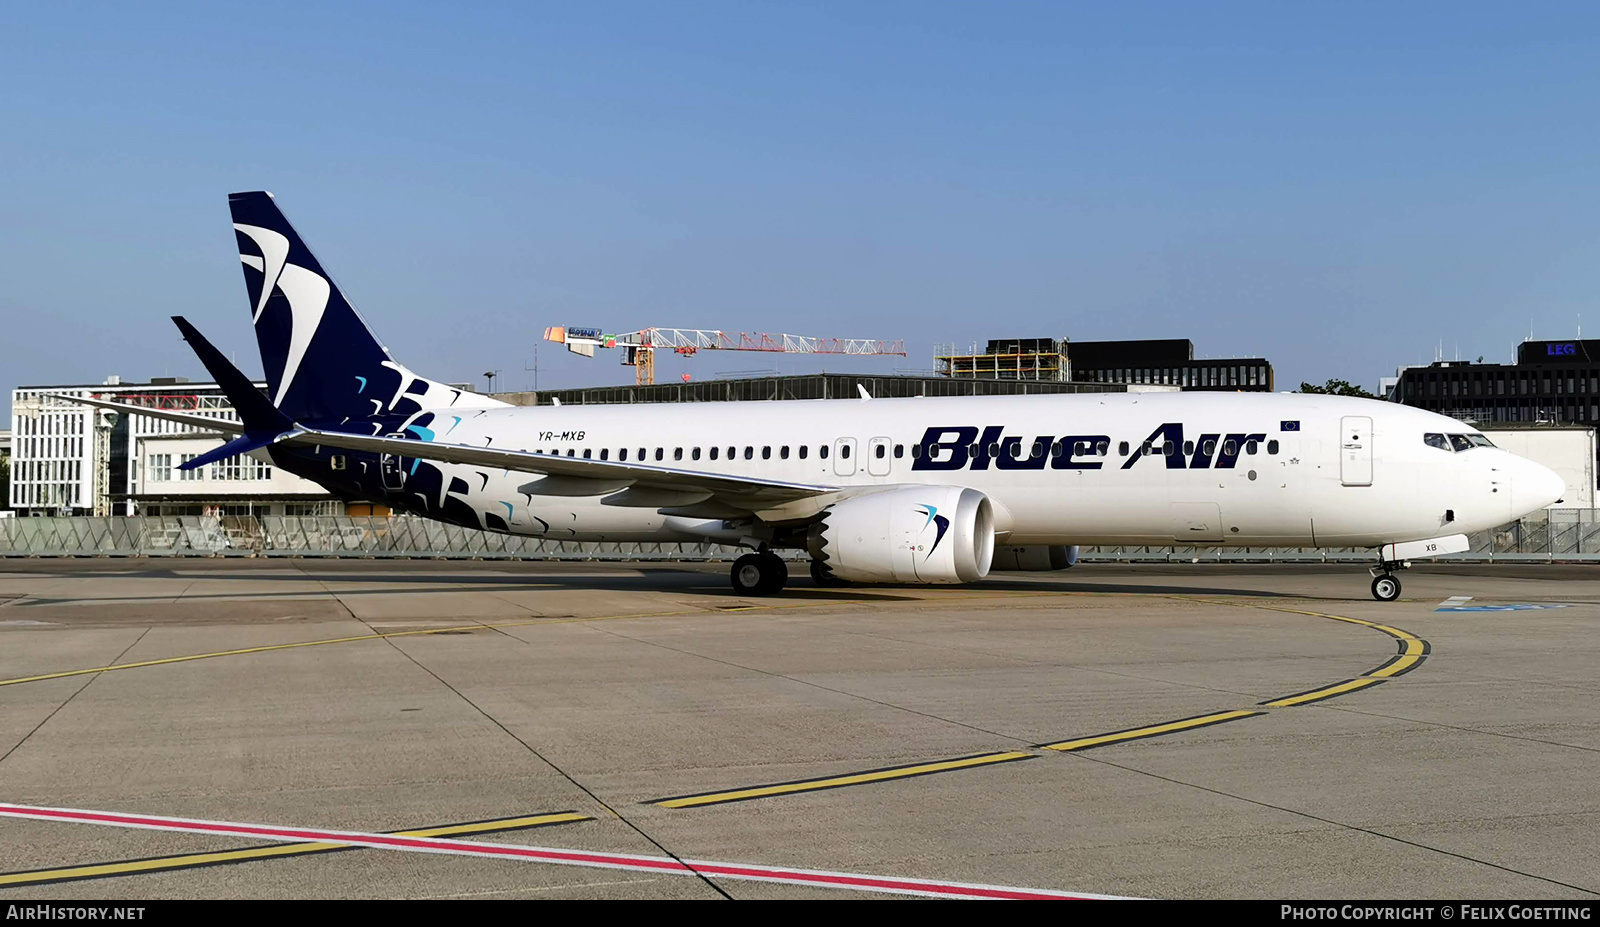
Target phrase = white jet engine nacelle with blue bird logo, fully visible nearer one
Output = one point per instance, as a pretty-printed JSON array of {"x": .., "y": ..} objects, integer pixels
[{"x": 908, "y": 536}]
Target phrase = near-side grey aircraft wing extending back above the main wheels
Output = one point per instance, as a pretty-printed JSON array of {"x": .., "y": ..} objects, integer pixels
[{"x": 604, "y": 476}]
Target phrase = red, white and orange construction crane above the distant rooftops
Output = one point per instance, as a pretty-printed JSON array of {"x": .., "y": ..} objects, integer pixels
[{"x": 639, "y": 348}]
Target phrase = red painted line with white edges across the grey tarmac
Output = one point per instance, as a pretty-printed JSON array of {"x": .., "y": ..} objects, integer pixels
[{"x": 666, "y": 865}]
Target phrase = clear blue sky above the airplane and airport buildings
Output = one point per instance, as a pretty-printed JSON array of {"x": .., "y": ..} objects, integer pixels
[{"x": 1338, "y": 188}]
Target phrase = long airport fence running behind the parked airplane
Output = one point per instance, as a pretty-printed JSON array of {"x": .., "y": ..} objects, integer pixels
[{"x": 1556, "y": 536}]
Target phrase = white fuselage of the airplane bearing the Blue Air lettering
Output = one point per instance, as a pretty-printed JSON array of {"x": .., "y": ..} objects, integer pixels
[{"x": 1246, "y": 470}]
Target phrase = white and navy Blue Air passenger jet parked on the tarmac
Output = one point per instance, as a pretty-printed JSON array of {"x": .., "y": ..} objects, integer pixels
[{"x": 878, "y": 491}]
